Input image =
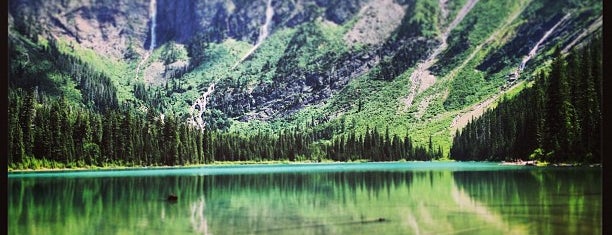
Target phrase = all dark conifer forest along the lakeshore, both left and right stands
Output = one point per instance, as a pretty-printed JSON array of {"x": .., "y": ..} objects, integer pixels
[{"x": 555, "y": 120}]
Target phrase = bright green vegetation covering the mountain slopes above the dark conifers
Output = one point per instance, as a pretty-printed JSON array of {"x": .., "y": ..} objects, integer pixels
[{"x": 265, "y": 93}]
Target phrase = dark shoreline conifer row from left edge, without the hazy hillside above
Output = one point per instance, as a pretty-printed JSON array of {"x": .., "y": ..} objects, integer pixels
[{"x": 49, "y": 132}]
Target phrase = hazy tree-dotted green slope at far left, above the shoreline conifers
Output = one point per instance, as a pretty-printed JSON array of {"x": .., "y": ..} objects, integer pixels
[{"x": 44, "y": 68}]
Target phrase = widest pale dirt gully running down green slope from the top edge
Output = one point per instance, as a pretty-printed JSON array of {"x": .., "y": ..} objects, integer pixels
[{"x": 422, "y": 78}]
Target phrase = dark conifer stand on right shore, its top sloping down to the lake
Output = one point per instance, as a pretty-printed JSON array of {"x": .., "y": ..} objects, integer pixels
[{"x": 558, "y": 119}]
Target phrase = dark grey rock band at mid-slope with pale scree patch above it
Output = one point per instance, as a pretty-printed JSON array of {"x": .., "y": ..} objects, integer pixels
[{"x": 294, "y": 88}]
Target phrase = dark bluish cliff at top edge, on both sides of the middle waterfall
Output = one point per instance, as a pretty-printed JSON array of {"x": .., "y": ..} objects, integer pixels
[{"x": 241, "y": 20}]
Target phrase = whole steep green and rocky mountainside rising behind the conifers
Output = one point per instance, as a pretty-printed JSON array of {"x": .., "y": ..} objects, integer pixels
[{"x": 419, "y": 68}]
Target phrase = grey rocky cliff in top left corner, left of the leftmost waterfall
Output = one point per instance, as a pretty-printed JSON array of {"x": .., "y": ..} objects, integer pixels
[{"x": 108, "y": 27}]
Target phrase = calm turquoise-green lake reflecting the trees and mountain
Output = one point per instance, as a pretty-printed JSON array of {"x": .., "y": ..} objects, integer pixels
[{"x": 339, "y": 198}]
